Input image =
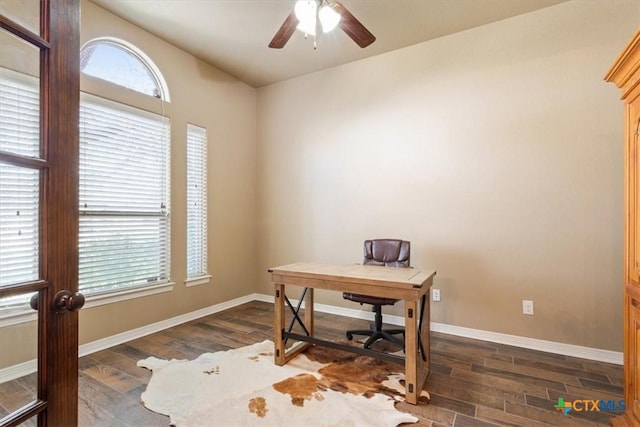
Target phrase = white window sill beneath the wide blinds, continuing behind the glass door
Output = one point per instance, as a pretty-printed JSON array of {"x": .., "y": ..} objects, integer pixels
[{"x": 28, "y": 315}]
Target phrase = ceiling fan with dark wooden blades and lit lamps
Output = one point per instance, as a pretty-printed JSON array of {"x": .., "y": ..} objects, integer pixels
[{"x": 314, "y": 16}]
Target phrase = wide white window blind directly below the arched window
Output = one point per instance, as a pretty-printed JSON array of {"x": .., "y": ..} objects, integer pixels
[{"x": 124, "y": 197}]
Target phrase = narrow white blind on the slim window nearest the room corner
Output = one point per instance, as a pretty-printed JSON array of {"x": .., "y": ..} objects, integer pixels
[{"x": 196, "y": 201}]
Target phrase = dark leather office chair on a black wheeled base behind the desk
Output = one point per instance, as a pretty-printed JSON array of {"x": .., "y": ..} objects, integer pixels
[{"x": 388, "y": 253}]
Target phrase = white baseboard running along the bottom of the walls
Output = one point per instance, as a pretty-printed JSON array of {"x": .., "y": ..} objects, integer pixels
[{"x": 25, "y": 368}]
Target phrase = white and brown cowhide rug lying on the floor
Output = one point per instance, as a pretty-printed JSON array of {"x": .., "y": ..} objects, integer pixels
[{"x": 243, "y": 387}]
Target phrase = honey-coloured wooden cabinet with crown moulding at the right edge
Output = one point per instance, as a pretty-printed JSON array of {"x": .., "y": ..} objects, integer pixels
[{"x": 625, "y": 73}]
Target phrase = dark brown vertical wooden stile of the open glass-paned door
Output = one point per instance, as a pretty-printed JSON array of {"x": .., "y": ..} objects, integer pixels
[{"x": 58, "y": 332}]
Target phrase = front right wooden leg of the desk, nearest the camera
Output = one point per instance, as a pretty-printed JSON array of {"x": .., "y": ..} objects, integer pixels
[{"x": 412, "y": 391}]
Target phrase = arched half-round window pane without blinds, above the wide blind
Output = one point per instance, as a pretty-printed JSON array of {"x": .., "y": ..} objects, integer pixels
[{"x": 121, "y": 63}]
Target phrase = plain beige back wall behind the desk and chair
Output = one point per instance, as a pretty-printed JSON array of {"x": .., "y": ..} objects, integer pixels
[{"x": 497, "y": 151}]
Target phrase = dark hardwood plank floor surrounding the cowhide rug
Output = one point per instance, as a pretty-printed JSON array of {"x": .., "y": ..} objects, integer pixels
[{"x": 472, "y": 383}]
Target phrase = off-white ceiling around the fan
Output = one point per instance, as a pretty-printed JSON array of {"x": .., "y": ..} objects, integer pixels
[{"x": 233, "y": 35}]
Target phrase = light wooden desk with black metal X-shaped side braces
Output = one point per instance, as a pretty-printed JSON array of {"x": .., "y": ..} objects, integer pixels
[{"x": 407, "y": 284}]
